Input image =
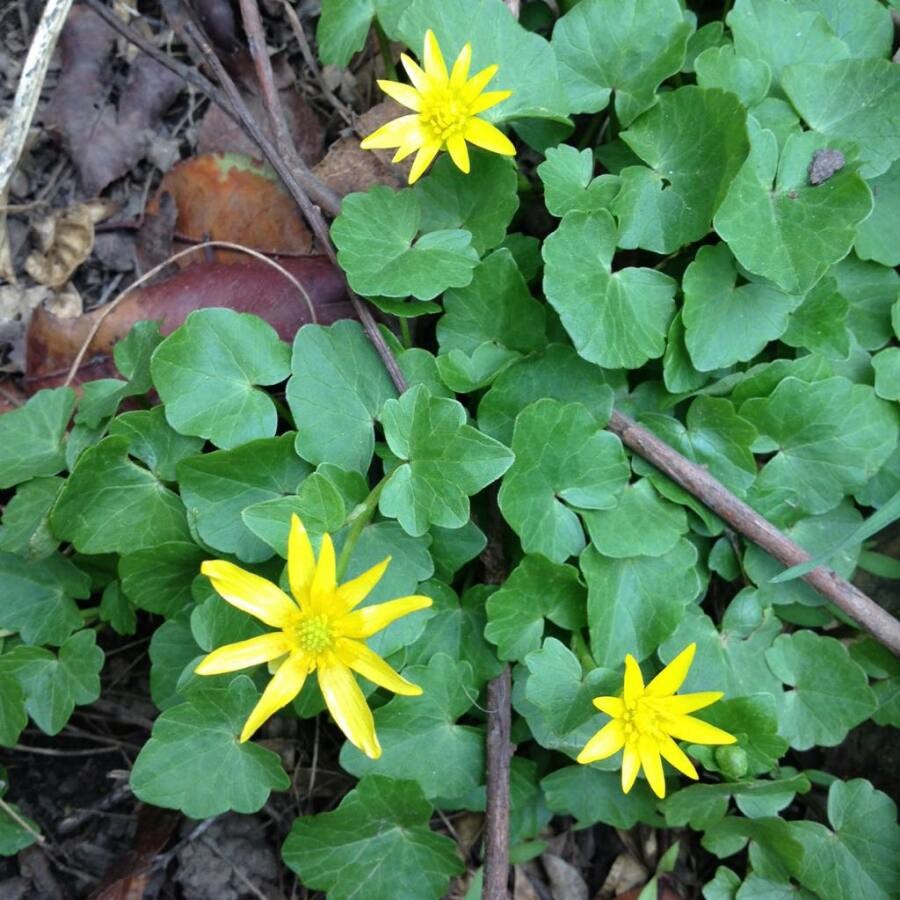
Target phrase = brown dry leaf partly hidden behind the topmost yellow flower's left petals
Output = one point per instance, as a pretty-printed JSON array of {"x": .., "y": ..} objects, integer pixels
[{"x": 347, "y": 167}]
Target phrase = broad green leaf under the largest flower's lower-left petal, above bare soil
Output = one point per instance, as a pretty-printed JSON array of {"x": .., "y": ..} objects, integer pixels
[{"x": 194, "y": 762}]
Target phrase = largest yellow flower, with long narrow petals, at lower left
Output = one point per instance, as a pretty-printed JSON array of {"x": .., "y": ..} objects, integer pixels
[{"x": 319, "y": 630}]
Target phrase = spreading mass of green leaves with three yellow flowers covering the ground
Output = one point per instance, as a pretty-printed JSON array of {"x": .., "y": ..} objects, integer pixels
[{"x": 483, "y": 544}]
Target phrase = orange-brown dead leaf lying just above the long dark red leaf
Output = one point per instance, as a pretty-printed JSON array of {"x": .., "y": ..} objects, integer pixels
[{"x": 231, "y": 197}]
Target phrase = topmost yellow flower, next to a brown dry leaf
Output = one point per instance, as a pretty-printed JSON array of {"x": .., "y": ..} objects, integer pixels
[{"x": 446, "y": 108}]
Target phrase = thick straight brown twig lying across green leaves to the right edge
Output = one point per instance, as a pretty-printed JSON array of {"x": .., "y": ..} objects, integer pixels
[{"x": 712, "y": 493}]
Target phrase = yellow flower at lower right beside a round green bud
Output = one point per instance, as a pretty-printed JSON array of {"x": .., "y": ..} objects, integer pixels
[{"x": 645, "y": 719}]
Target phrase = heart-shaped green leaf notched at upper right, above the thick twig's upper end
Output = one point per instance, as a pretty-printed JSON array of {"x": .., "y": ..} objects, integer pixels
[{"x": 616, "y": 319}]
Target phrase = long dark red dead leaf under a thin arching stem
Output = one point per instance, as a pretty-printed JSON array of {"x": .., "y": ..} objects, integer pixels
[{"x": 53, "y": 344}]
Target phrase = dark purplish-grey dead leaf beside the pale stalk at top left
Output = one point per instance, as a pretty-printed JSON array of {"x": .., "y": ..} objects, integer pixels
[{"x": 105, "y": 141}]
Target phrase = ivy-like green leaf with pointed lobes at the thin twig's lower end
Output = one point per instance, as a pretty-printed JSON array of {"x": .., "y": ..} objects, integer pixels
[{"x": 443, "y": 461}]
